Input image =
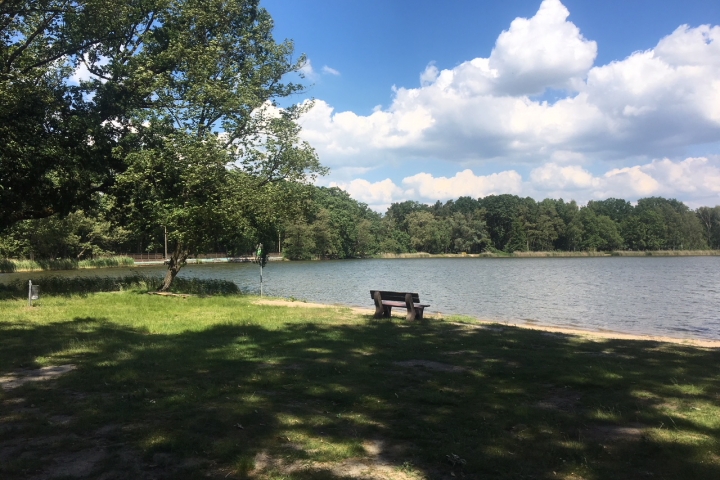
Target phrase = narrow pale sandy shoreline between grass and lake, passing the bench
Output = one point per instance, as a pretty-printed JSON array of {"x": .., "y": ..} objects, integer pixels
[{"x": 591, "y": 334}]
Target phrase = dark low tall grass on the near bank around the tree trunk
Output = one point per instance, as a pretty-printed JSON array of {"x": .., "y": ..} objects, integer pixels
[{"x": 83, "y": 285}]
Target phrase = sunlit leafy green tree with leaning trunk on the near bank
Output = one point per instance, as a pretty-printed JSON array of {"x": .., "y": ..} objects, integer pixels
[{"x": 214, "y": 137}]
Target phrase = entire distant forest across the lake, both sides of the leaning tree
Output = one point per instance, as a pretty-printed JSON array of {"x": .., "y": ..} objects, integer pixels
[{"x": 333, "y": 225}]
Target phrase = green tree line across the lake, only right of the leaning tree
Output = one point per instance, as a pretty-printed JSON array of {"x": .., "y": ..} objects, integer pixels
[{"x": 339, "y": 227}]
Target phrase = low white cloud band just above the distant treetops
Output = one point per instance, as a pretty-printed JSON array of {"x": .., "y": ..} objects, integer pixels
[{"x": 695, "y": 180}]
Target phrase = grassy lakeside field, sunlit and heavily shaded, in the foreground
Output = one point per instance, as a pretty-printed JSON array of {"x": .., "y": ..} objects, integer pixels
[{"x": 222, "y": 387}]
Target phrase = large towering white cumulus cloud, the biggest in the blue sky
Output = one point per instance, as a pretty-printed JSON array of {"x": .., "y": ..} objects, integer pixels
[{"x": 651, "y": 104}]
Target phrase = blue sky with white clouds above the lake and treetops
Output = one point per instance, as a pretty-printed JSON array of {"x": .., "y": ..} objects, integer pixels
[{"x": 425, "y": 100}]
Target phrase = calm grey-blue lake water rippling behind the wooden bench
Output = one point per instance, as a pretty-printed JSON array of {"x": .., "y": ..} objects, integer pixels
[{"x": 677, "y": 297}]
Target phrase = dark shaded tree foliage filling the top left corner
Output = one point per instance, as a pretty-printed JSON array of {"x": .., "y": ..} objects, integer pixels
[{"x": 58, "y": 134}]
